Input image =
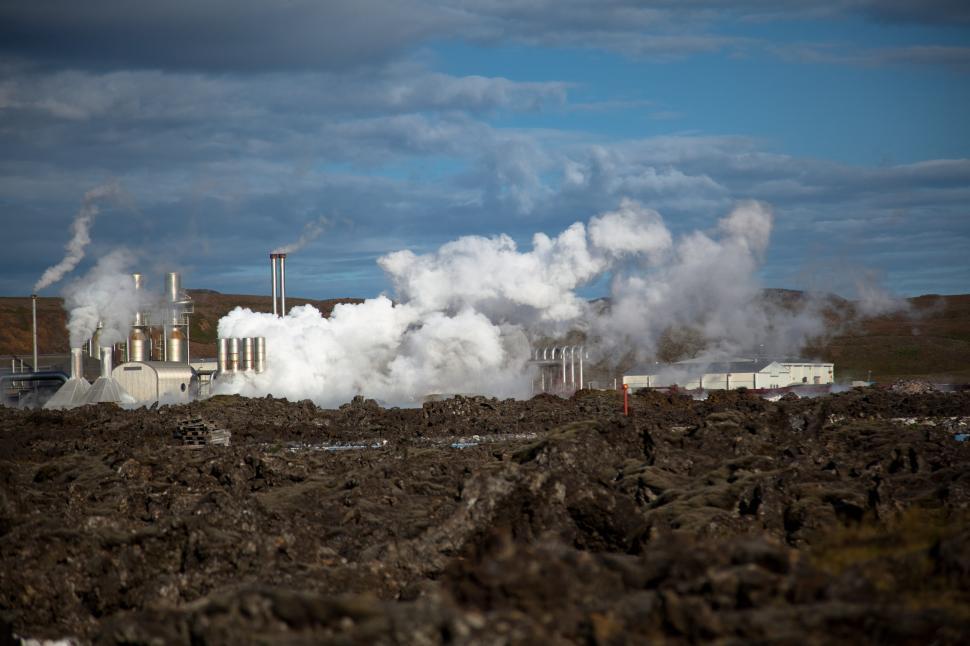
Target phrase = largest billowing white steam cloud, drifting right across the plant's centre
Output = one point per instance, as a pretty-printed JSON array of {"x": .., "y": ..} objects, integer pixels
[{"x": 466, "y": 312}]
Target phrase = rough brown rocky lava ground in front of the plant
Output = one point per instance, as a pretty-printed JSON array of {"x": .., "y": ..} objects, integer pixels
[{"x": 829, "y": 520}]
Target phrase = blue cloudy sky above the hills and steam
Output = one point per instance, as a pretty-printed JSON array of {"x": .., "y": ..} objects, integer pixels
[{"x": 230, "y": 125}]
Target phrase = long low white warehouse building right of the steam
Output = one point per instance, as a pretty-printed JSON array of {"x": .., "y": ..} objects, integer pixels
[{"x": 728, "y": 375}]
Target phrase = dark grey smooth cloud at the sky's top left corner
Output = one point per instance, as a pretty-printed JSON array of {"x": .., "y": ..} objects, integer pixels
[{"x": 231, "y": 35}]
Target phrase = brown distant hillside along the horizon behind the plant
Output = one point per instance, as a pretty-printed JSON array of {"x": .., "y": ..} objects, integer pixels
[{"x": 931, "y": 341}]
